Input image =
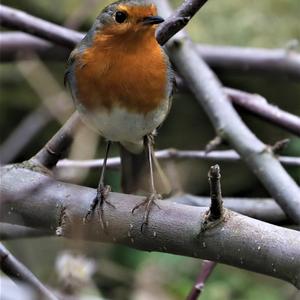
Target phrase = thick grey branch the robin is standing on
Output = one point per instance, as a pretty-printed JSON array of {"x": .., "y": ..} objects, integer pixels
[{"x": 37, "y": 200}]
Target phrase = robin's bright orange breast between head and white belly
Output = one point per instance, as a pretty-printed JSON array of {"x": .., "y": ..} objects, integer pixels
[{"x": 127, "y": 71}]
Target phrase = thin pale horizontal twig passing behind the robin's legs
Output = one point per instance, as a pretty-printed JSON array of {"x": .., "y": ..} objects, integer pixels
[{"x": 167, "y": 154}]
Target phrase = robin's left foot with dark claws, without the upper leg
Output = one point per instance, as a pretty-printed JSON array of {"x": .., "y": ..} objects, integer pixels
[{"x": 98, "y": 202}]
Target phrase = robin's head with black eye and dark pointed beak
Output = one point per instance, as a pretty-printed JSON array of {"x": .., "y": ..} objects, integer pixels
[{"x": 128, "y": 17}]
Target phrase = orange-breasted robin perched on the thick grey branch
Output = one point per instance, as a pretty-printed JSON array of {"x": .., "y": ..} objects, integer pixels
[{"x": 121, "y": 82}]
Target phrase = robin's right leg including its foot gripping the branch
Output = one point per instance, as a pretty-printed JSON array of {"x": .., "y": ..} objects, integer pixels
[{"x": 150, "y": 200}]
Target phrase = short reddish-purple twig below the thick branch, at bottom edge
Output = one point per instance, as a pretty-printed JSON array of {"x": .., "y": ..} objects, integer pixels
[{"x": 207, "y": 268}]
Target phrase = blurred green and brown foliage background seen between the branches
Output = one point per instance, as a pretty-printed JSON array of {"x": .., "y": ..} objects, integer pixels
[{"x": 122, "y": 273}]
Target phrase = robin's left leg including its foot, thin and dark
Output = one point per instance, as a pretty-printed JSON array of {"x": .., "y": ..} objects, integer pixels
[{"x": 102, "y": 192}]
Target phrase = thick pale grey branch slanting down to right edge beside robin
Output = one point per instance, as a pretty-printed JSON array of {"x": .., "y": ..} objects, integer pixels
[{"x": 208, "y": 91}]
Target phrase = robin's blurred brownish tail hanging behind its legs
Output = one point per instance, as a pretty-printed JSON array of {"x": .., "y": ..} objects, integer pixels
[{"x": 136, "y": 173}]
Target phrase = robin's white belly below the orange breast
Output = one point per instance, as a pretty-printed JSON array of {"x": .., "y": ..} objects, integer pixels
[{"x": 123, "y": 126}]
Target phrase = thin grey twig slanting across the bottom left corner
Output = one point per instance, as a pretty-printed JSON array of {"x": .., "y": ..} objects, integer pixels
[{"x": 19, "y": 273}]
